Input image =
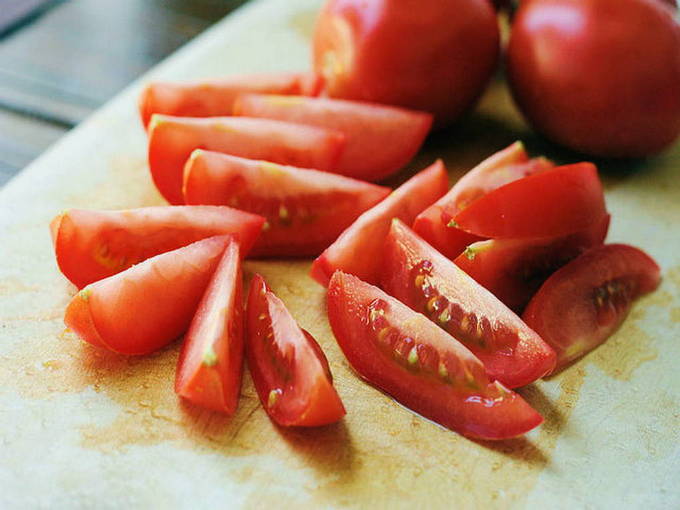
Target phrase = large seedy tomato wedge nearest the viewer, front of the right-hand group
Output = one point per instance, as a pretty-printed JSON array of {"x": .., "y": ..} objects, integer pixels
[{"x": 420, "y": 365}]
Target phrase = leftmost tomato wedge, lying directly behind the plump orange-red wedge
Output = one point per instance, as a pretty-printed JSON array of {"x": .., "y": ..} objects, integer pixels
[{"x": 91, "y": 245}]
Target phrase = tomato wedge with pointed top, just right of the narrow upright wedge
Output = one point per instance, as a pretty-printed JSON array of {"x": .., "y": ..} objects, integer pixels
[{"x": 289, "y": 369}]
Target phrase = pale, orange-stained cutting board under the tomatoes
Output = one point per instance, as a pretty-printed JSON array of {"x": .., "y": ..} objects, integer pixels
[{"x": 83, "y": 428}]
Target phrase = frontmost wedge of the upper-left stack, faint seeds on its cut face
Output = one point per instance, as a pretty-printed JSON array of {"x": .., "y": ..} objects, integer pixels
[{"x": 306, "y": 209}]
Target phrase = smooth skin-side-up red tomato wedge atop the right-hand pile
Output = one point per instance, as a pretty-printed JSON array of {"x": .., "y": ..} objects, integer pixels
[{"x": 552, "y": 203}]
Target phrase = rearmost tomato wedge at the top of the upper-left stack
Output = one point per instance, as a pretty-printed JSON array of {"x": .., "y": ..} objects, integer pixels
[{"x": 213, "y": 98}]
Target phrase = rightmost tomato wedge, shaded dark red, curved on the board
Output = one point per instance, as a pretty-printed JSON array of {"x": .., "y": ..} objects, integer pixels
[{"x": 597, "y": 289}]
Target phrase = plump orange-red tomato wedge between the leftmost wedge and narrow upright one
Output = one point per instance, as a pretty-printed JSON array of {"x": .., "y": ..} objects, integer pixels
[{"x": 148, "y": 305}]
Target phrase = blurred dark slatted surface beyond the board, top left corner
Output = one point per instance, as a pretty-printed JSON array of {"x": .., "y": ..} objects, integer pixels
[{"x": 60, "y": 60}]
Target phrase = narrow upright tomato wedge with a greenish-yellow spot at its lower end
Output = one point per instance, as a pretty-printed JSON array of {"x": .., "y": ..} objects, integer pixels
[{"x": 211, "y": 362}]
